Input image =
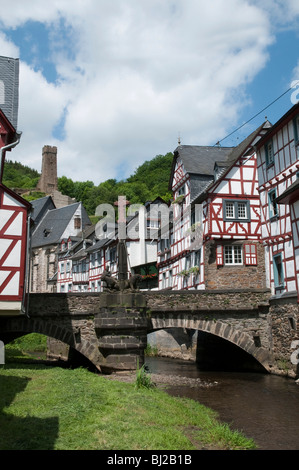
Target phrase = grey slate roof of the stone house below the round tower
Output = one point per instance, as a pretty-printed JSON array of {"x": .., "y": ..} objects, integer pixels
[{"x": 52, "y": 226}]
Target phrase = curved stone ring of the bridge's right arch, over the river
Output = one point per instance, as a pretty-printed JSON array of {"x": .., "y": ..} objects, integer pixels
[{"x": 218, "y": 328}]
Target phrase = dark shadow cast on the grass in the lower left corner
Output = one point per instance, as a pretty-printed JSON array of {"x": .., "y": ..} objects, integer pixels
[{"x": 23, "y": 433}]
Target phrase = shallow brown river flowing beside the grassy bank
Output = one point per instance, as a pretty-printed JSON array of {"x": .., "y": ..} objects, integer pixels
[{"x": 264, "y": 407}]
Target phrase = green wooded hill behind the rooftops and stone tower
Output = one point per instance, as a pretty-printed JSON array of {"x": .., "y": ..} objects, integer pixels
[{"x": 149, "y": 181}]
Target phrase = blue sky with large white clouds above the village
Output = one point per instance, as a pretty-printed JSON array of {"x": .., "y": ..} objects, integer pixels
[{"x": 113, "y": 84}]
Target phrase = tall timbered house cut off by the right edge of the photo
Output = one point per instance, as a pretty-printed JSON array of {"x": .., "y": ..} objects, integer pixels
[{"x": 278, "y": 171}]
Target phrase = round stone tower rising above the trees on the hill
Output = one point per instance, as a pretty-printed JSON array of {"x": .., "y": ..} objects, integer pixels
[{"x": 48, "y": 180}]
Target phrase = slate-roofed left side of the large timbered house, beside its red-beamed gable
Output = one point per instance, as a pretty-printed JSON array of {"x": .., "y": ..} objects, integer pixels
[{"x": 179, "y": 255}]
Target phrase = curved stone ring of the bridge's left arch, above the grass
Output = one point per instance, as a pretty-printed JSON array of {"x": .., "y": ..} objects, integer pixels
[{"x": 16, "y": 327}]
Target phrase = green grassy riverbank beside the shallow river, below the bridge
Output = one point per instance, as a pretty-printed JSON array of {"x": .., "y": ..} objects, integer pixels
[{"x": 46, "y": 407}]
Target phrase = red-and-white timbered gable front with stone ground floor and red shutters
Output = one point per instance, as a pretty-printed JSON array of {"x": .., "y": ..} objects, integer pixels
[{"x": 231, "y": 221}]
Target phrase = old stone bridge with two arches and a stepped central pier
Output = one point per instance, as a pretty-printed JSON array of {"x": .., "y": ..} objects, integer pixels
[{"x": 110, "y": 329}]
